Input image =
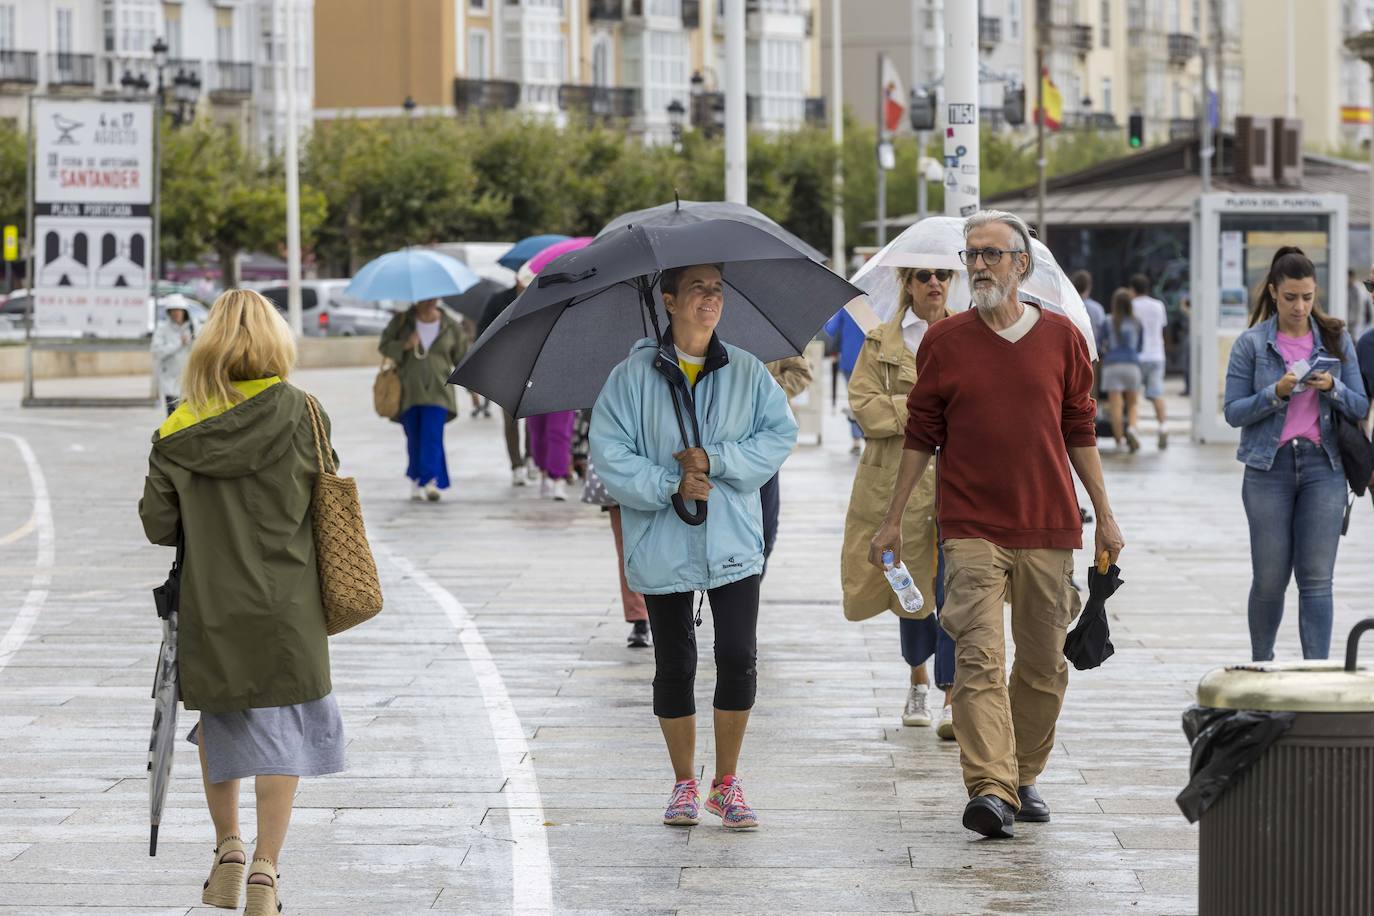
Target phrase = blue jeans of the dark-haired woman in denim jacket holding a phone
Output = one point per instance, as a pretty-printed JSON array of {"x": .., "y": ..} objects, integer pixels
[{"x": 1295, "y": 512}]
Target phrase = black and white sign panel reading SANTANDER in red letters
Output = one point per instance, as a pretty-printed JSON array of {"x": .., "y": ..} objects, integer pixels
[{"x": 93, "y": 218}]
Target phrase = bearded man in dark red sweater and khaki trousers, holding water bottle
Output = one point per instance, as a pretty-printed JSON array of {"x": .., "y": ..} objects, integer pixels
[{"x": 1004, "y": 395}]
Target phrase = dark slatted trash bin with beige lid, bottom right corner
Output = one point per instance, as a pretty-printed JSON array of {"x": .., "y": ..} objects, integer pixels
[{"x": 1295, "y": 834}]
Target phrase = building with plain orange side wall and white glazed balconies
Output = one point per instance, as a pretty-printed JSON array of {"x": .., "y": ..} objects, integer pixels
[{"x": 656, "y": 65}]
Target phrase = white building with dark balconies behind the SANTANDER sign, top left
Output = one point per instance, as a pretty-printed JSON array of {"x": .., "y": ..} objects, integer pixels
[{"x": 223, "y": 58}]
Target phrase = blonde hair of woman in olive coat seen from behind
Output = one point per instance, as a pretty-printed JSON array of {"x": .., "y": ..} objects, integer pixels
[{"x": 245, "y": 339}]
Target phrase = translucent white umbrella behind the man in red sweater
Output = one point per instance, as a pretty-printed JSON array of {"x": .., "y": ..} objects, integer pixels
[{"x": 935, "y": 242}]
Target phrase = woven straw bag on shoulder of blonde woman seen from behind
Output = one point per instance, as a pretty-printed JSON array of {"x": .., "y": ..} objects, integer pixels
[{"x": 350, "y": 588}]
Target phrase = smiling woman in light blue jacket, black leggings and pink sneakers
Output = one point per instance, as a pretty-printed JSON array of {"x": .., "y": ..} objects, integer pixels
[{"x": 747, "y": 431}]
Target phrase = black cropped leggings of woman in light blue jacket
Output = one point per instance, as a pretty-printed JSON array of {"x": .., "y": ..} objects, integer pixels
[{"x": 673, "y": 620}]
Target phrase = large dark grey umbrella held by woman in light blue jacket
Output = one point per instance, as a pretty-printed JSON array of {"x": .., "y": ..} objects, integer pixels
[{"x": 557, "y": 344}]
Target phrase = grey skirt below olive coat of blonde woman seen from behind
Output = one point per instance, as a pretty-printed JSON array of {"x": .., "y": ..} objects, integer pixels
[{"x": 306, "y": 740}]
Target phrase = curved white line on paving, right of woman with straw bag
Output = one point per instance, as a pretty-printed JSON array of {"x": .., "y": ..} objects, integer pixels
[{"x": 531, "y": 870}]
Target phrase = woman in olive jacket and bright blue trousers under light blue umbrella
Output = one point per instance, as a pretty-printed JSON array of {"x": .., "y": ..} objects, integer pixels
[{"x": 427, "y": 344}]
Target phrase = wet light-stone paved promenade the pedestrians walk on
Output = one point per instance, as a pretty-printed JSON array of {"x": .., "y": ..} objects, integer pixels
[{"x": 504, "y": 753}]
